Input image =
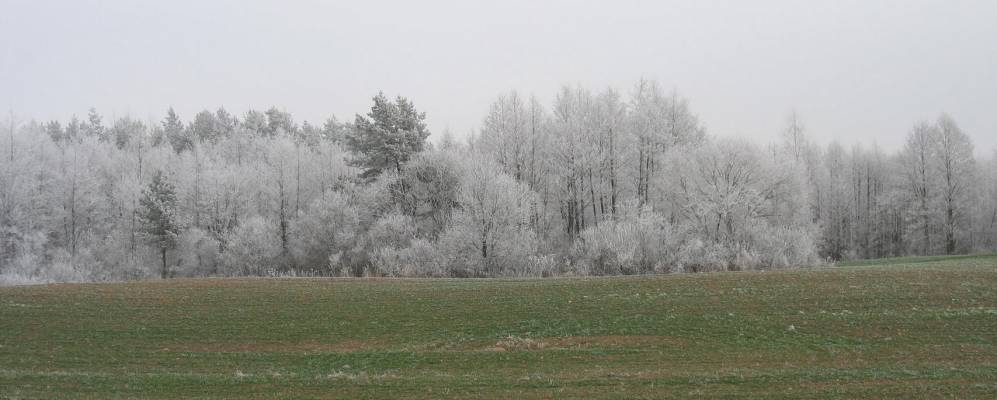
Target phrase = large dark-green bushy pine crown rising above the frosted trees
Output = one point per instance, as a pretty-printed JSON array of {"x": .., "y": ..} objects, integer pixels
[{"x": 387, "y": 137}]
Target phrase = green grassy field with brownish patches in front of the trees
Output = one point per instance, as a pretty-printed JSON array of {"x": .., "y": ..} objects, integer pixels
[{"x": 903, "y": 329}]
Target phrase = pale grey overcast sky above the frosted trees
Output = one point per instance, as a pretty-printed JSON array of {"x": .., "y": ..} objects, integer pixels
[{"x": 855, "y": 71}]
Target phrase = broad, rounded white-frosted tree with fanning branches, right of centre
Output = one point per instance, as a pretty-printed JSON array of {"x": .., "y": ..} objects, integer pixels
[{"x": 737, "y": 208}]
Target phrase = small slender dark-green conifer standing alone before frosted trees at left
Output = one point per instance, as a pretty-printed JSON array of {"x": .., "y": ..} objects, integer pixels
[{"x": 157, "y": 211}]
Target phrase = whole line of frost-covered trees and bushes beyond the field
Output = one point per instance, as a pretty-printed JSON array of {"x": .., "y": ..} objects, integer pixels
[{"x": 594, "y": 183}]
